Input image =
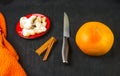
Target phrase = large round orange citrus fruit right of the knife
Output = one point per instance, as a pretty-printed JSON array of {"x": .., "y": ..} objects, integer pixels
[{"x": 94, "y": 38}]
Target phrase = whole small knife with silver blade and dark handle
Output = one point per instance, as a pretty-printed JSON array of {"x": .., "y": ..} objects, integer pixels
[{"x": 66, "y": 35}]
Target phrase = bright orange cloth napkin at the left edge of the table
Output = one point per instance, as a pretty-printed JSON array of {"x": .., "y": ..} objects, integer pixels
[{"x": 9, "y": 65}]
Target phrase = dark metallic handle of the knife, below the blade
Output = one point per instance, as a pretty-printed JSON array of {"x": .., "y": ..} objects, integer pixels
[{"x": 65, "y": 50}]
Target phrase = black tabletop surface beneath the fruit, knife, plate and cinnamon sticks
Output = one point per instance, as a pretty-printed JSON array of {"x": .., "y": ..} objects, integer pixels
[{"x": 79, "y": 12}]
